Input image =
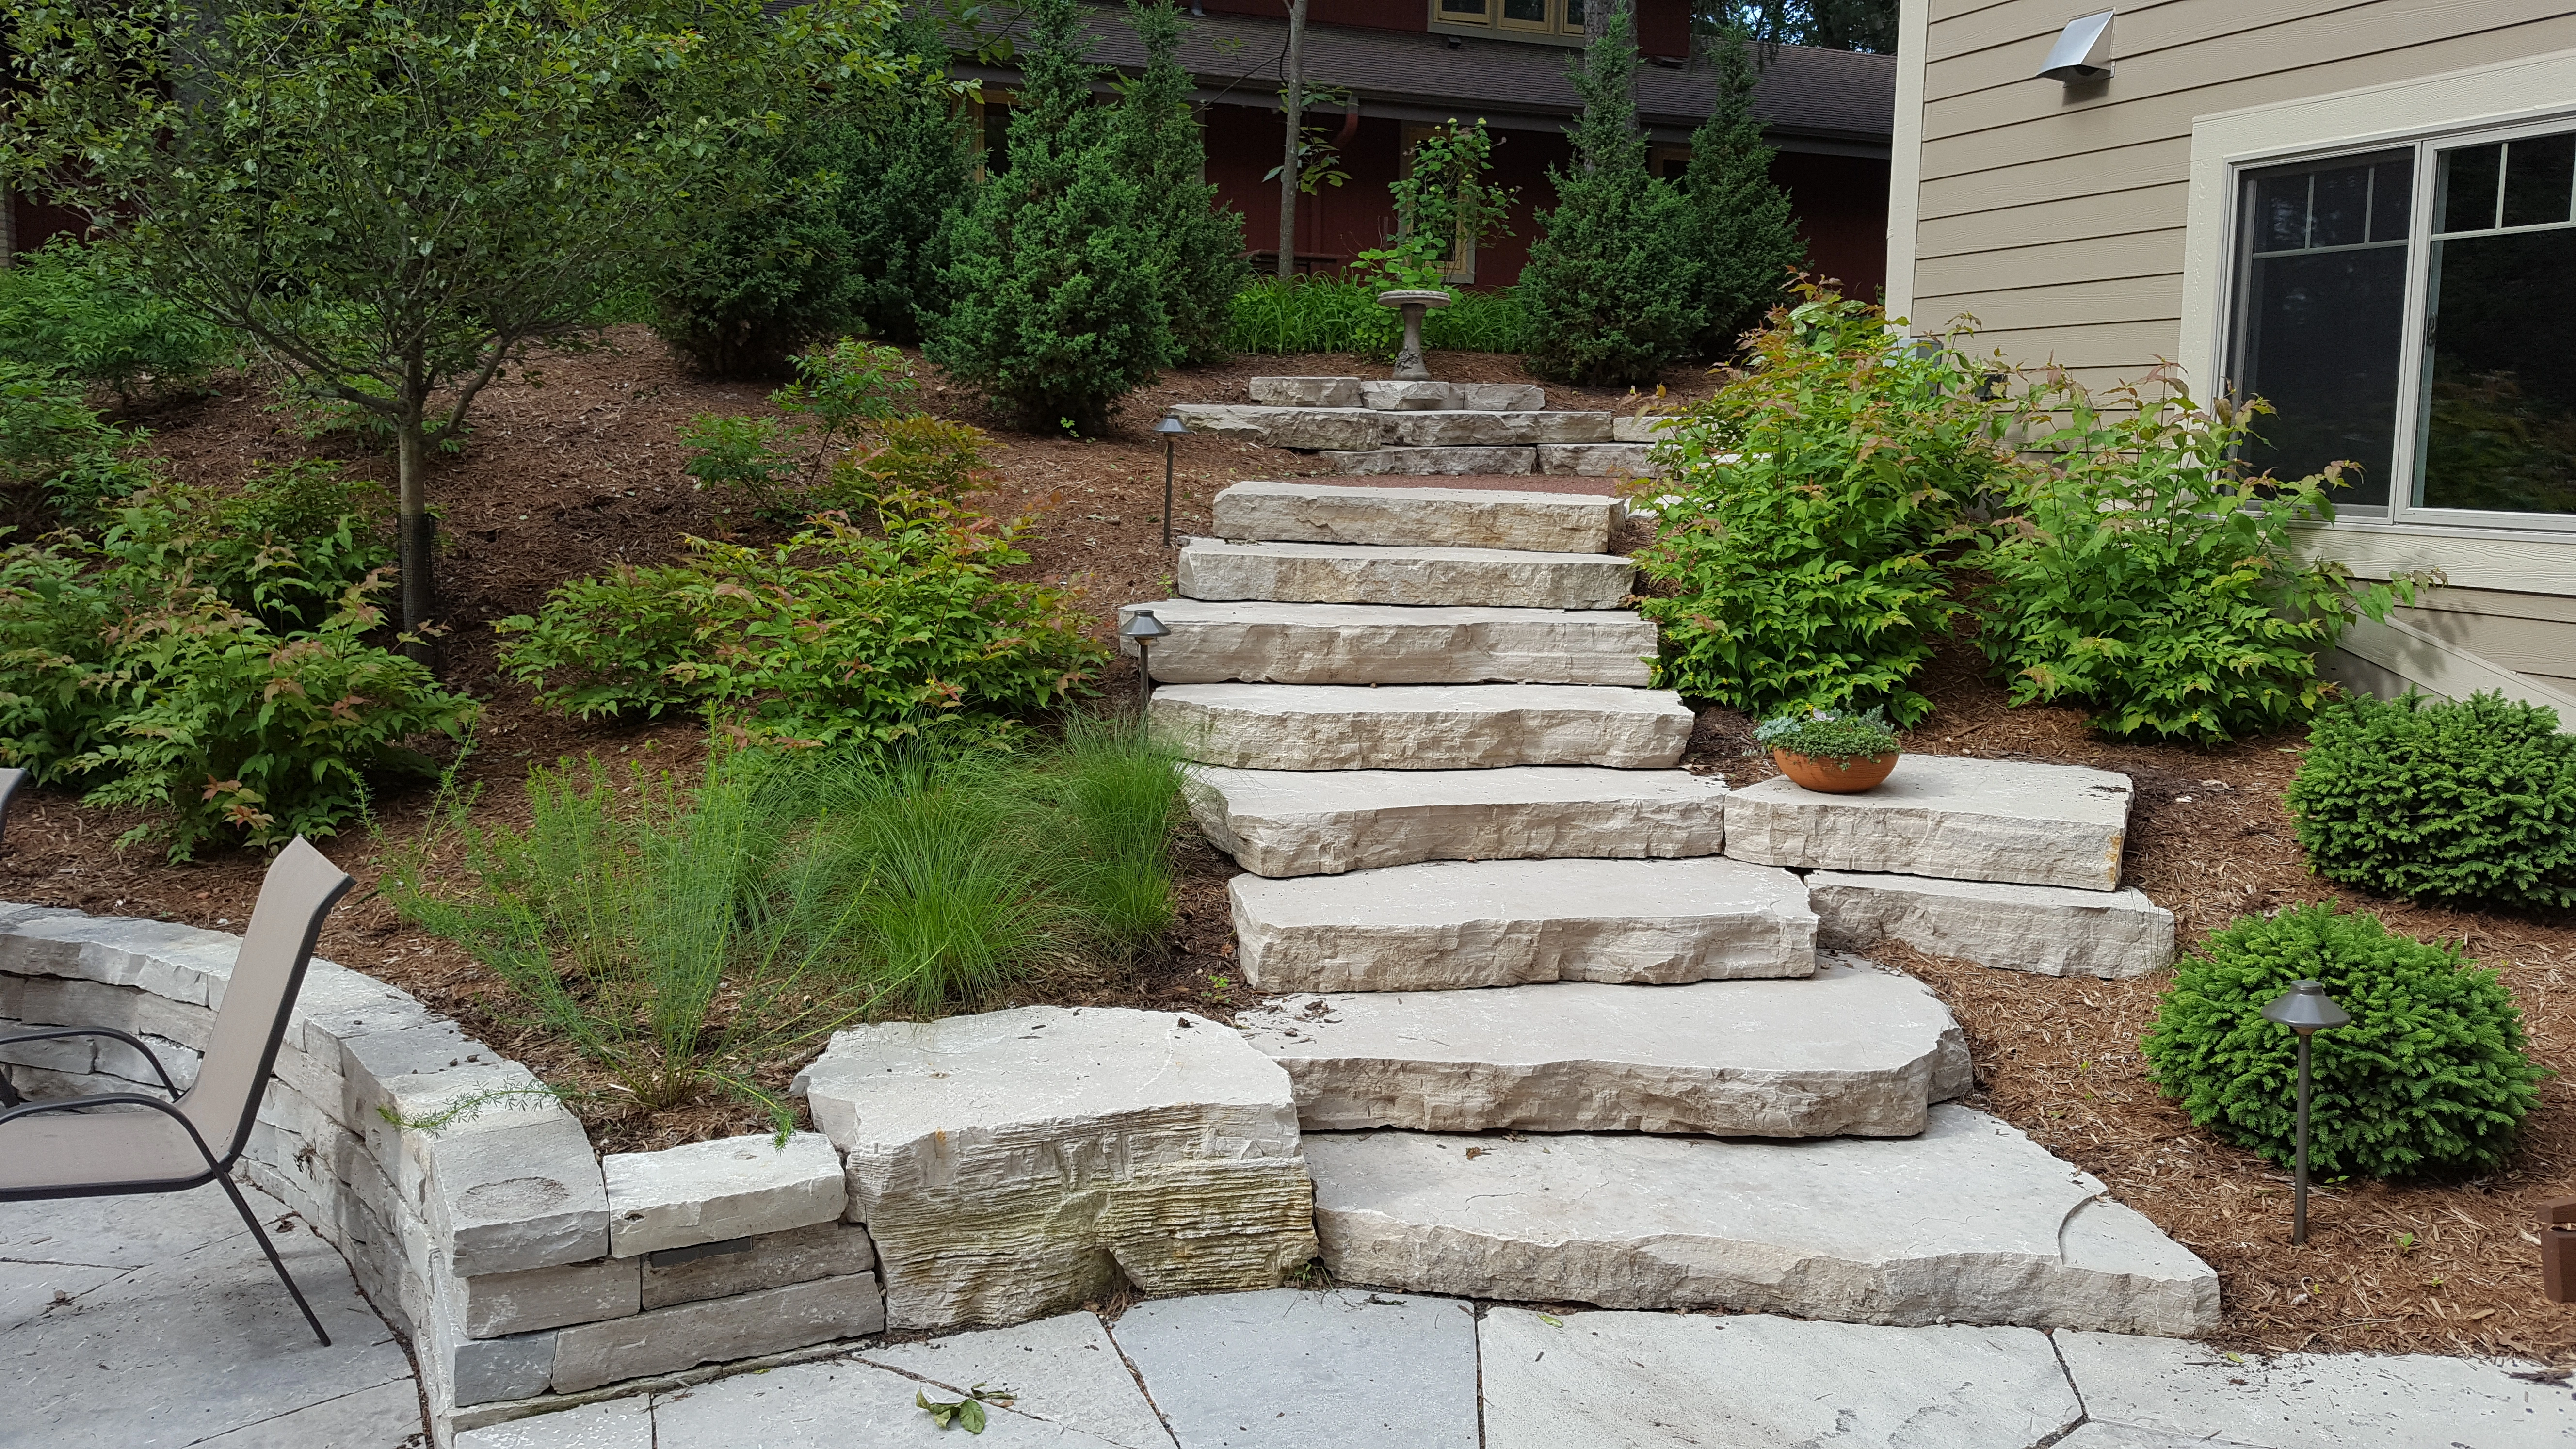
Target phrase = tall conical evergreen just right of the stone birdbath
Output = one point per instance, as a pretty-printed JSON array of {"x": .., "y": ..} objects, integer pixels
[{"x": 1601, "y": 287}]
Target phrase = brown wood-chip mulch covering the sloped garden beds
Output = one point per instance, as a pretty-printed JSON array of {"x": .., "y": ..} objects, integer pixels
[{"x": 581, "y": 465}]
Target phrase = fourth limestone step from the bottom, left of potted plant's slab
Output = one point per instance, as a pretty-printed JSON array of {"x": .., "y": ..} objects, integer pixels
[{"x": 1318, "y": 824}]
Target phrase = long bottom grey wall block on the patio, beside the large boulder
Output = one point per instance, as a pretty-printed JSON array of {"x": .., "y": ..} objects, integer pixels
[{"x": 671, "y": 1339}]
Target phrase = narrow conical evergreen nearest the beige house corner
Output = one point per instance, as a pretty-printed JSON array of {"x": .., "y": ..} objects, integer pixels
[{"x": 1738, "y": 226}]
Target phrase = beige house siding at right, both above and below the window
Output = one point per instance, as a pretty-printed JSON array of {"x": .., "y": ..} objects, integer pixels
[{"x": 2060, "y": 220}]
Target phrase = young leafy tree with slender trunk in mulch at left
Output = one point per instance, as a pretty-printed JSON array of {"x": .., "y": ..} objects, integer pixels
[{"x": 395, "y": 202}]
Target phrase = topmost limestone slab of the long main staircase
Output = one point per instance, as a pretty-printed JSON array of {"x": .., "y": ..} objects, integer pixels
[{"x": 1418, "y": 517}]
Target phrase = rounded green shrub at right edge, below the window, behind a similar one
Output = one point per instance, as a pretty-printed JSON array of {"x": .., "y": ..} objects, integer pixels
[{"x": 2459, "y": 803}]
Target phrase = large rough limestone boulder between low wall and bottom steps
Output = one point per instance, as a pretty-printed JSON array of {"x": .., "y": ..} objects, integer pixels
[{"x": 1073, "y": 1149}]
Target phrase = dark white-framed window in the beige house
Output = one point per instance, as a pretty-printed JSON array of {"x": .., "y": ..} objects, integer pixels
[{"x": 2410, "y": 311}]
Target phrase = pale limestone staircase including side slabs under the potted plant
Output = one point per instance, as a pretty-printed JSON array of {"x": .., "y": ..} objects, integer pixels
[{"x": 1552, "y": 1035}]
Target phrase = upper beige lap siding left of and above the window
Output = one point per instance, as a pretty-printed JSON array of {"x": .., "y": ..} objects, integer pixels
[{"x": 2057, "y": 215}]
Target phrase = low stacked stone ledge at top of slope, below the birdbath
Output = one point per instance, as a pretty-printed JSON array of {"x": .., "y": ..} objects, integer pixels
[{"x": 1428, "y": 429}]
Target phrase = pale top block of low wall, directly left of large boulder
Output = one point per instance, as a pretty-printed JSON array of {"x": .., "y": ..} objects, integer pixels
[{"x": 710, "y": 1192}]
